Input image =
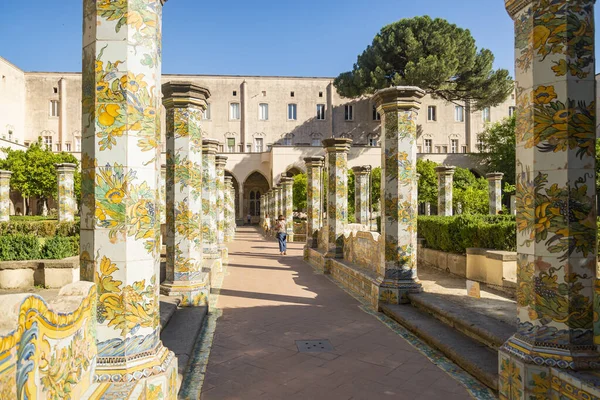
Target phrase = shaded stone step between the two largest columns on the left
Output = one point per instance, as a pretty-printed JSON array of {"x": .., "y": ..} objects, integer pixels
[{"x": 180, "y": 335}]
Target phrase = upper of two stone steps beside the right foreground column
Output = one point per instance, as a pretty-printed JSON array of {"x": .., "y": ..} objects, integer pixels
[{"x": 483, "y": 328}]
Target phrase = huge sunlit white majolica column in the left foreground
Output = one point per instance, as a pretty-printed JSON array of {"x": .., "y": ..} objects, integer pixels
[{"x": 120, "y": 161}]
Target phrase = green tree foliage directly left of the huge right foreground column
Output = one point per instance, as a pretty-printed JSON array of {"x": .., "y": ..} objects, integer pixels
[{"x": 498, "y": 149}]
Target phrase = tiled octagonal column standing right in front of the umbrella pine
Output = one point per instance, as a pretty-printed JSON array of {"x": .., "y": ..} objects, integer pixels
[{"x": 399, "y": 108}]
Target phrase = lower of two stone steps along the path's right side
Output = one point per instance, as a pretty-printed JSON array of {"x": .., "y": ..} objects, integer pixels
[{"x": 474, "y": 357}]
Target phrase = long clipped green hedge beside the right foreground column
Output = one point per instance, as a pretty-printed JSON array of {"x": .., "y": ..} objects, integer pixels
[{"x": 456, "y": 234}]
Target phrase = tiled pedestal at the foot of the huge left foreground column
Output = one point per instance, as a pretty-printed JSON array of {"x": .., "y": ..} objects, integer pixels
[{"x": 155, "y": 378}]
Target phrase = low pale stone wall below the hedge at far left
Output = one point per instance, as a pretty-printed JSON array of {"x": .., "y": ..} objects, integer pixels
[{"x": 52, "y": 274}]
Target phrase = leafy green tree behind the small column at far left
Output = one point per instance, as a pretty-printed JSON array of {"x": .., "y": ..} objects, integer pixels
[{"x": 34, "y": 171}]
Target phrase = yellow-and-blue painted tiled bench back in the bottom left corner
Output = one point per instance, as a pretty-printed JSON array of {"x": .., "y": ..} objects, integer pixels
[{"x": 48, "y": 350}]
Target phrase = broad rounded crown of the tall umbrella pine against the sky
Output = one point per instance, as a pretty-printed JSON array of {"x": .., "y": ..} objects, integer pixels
[{"x": 433, "y": 54}]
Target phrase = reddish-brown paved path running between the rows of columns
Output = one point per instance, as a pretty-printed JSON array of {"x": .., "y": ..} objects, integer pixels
[{"x": 269, "y": 301}]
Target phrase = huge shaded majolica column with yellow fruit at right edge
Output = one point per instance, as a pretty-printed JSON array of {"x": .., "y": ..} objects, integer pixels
[{"x": 556, "y": 201}]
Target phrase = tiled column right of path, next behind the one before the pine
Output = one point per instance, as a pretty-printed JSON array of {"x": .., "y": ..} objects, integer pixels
[{"x": 337, "y": 192}]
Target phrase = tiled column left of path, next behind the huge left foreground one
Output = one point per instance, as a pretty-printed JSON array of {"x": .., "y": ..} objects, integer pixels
[{"x": 184, "y": 103}]
